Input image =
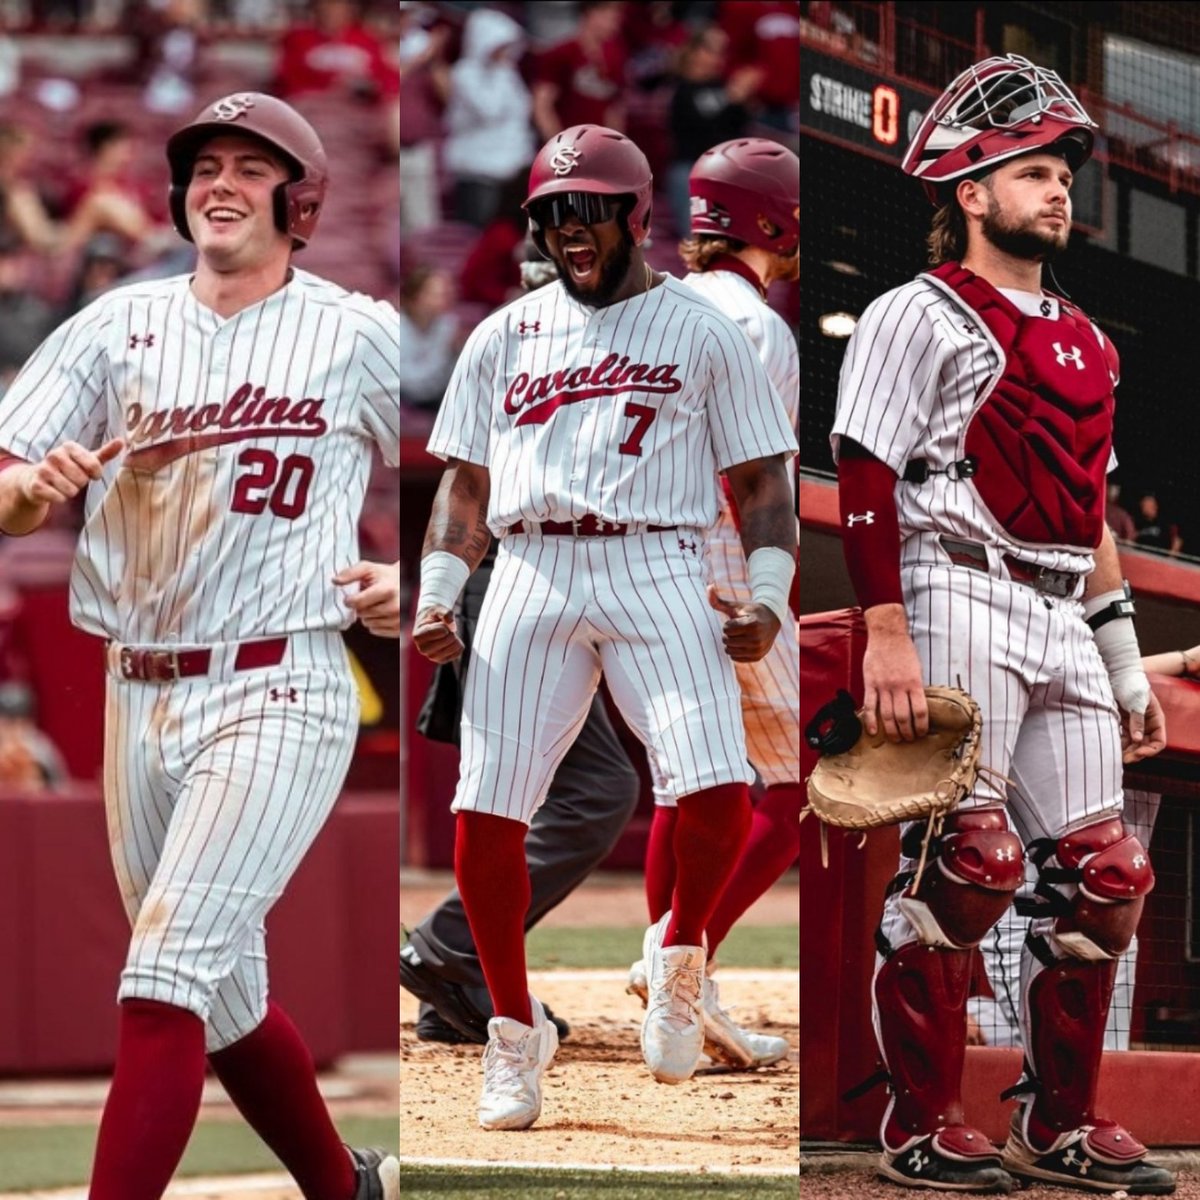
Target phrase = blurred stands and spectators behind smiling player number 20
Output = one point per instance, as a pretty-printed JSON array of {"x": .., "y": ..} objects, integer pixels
[{"x": 89, "y": 93}]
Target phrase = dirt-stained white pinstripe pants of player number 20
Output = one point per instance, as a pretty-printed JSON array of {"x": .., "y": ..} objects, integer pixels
[{"x": 215, "y": 791}]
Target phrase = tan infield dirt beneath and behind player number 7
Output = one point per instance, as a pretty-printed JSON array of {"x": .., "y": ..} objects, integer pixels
[{"x": 602, "y": 1107}]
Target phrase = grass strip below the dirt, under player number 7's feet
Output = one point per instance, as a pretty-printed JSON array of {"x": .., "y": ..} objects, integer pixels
[{"x": 484, "y": 1183}]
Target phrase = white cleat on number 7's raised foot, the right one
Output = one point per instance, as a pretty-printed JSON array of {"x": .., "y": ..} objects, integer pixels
[{"x": 674, "y": 1027}]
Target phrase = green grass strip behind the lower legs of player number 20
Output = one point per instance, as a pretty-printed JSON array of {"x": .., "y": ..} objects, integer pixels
[{"x": 61, "y": 1156}]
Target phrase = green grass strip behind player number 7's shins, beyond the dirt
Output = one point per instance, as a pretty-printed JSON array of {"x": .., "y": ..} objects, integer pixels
[{"x": 755, "y": 946}]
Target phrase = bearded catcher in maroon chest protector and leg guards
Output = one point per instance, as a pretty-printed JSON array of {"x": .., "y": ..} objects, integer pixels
[{"x": 974, "y": 435}]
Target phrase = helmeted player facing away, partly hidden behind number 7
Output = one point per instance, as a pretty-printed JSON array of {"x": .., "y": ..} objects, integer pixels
[{"x": 746, "y": 226}]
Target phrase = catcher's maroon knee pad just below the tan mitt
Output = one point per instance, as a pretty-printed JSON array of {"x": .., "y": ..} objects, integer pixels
[{"x": 977, "y": 866}]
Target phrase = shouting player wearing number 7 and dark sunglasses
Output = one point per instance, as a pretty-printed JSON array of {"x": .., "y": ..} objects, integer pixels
[{"x": 584, "y": 427}]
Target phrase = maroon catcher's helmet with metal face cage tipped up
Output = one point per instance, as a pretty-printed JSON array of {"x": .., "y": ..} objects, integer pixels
[{"x": 995, "y": 111}]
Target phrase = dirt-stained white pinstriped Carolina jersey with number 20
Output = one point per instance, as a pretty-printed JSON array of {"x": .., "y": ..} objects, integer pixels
[{"x": 248, "y": 452}]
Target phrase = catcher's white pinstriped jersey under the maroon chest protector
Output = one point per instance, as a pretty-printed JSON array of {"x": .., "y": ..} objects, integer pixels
[{"x": 916, "y": 370}]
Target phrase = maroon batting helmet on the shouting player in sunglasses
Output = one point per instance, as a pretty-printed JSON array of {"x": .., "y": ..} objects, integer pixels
[{"x": 593, "y": 159}]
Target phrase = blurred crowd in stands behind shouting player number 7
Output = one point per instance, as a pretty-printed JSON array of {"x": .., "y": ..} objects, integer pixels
[{"x": 484, "y": 86}]
